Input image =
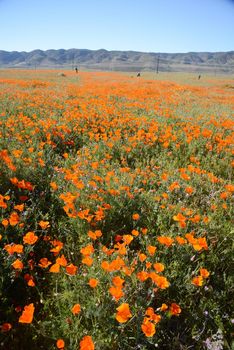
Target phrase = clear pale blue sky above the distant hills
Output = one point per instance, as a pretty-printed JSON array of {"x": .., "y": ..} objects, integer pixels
[{"x": 140, "y": 25}]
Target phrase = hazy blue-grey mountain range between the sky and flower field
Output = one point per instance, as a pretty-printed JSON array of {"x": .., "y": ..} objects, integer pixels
[{"x": 222, "y": 62}]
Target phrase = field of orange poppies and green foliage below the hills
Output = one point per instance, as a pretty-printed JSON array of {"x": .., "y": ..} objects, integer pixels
[{"x": 115, "y": 211}]
